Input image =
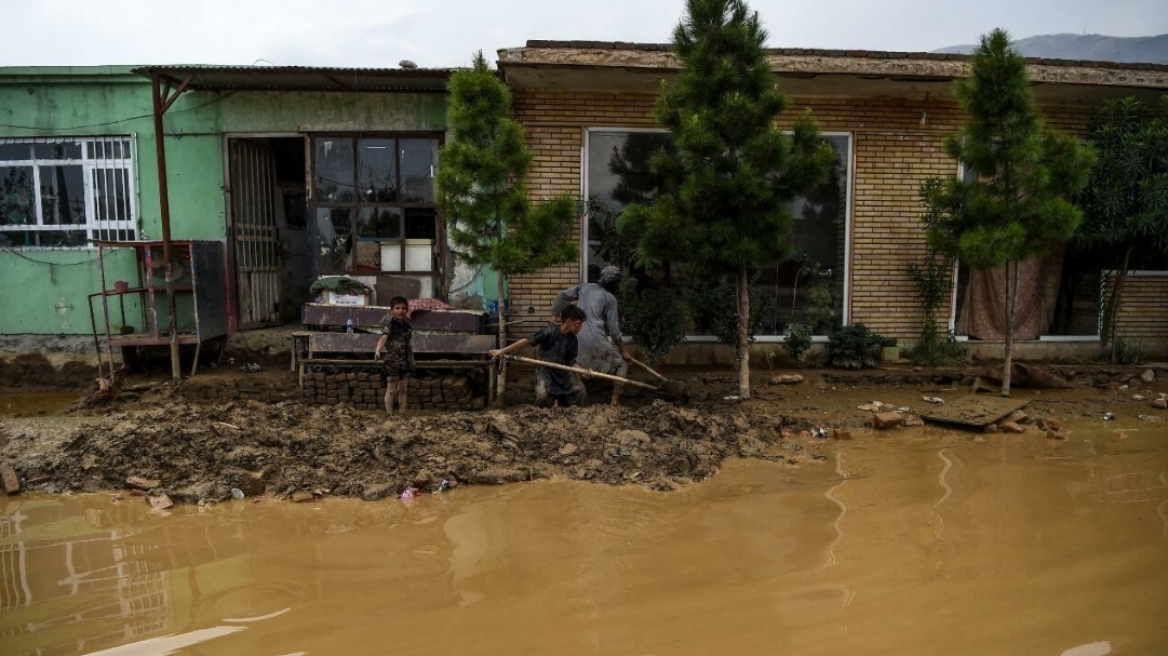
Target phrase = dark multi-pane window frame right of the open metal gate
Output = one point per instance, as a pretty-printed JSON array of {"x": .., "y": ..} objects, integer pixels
[{"x": 439, "y": 275}]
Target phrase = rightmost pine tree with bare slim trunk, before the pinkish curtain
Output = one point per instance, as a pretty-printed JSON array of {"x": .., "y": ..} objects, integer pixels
[{"x": 1020, "y": 204}]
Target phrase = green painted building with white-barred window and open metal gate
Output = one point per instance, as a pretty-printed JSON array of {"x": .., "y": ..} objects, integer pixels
[{"x": 298, "y": 171}]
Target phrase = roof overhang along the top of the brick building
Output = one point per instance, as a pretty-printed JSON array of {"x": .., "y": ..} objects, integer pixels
[{"x": 821, "y": 74}]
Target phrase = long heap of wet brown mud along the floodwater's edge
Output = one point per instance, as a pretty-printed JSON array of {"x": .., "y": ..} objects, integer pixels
[{"x": 200, "y": 453}]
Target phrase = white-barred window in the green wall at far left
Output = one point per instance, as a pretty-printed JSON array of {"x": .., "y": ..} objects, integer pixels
[{"x": 62, "y": 193}]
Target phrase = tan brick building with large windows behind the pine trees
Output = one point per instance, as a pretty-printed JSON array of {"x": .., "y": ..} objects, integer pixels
[{"x": 588, "y": 111}]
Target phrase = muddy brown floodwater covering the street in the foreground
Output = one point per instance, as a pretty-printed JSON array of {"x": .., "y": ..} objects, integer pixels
[{"x": 924, "y": 542}]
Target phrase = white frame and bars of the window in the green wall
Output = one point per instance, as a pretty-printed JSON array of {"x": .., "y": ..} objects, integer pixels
[{"x": 95, "y": 227}]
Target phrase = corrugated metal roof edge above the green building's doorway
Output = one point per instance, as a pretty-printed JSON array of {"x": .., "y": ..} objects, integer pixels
[{"x": 206, "y": 78}]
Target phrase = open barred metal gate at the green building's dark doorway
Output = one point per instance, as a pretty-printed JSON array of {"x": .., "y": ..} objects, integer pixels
[{"x": 258, "y": 263}]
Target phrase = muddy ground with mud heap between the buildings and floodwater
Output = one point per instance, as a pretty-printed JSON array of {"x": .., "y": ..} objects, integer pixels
[{"x": 231, "y": 430}]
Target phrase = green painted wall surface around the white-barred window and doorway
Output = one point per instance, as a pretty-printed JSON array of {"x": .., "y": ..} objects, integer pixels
[{"x": 45, "y": 292}]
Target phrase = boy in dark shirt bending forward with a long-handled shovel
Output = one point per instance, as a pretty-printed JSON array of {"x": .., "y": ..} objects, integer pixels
[{"x": 558, "y": 344}]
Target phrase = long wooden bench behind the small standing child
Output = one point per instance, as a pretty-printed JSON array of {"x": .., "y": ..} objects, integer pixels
[{"x": 442, "y": 340}]
